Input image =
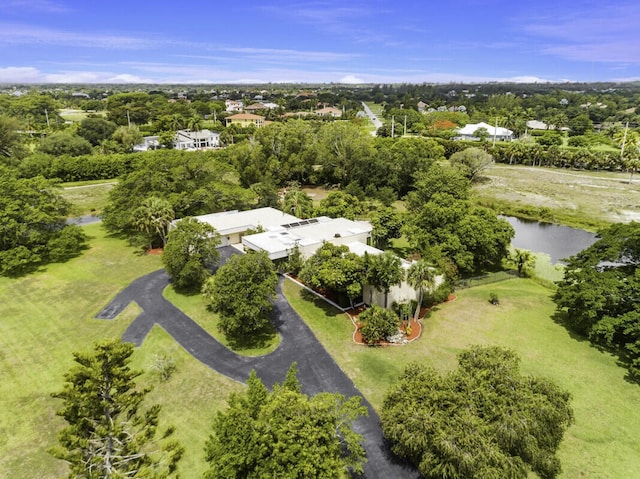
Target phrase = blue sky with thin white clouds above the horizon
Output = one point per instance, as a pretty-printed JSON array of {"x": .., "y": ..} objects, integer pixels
[{"x": 374, "y": 41}]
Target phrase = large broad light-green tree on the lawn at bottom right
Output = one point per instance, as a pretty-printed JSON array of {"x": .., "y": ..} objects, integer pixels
[{"x": 484, "y": 419}]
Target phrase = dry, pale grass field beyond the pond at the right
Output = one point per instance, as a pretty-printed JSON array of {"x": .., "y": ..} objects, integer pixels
[{"x": 588, "y": 200}]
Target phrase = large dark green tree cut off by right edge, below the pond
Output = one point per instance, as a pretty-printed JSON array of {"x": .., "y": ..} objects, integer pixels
[{"x": 598, "y": 295}]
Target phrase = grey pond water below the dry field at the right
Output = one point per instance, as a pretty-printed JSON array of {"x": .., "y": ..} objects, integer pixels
[{"x": 556, "y": 241}]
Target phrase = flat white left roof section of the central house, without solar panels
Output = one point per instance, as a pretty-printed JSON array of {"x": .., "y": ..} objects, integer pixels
[{"x": 228, "y": 222}]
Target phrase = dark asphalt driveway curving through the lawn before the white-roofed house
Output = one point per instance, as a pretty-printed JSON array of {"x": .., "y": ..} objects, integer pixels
[{"x": 317, "y": 371}]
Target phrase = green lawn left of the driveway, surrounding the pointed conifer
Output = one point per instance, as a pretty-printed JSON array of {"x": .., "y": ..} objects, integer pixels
[{"x": 48, "y": 315}]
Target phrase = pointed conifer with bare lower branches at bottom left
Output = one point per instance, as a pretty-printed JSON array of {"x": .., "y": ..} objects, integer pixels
[{"x": 109, "y": 432}]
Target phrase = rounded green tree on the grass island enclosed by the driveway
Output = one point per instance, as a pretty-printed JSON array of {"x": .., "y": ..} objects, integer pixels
[{"x": 242, "y": 292}]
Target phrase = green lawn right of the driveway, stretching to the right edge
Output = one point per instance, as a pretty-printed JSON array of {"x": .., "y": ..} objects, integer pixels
[{"x": 605, "y": 440}]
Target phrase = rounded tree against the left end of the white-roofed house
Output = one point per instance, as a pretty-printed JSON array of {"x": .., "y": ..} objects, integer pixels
[{"x": 190, "y": 252}]
